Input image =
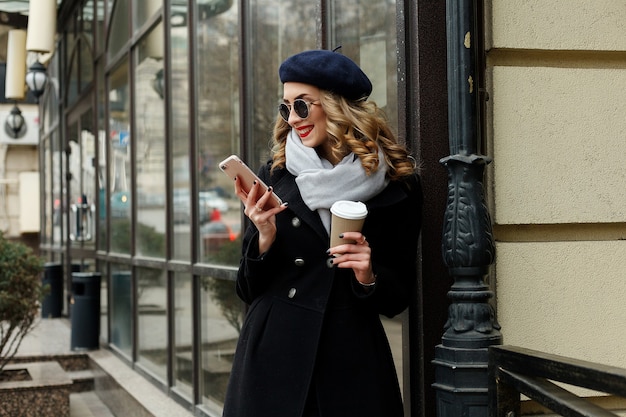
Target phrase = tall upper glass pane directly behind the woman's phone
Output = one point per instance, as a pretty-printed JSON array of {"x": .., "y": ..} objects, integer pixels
[{"x": 218, "y": 130}]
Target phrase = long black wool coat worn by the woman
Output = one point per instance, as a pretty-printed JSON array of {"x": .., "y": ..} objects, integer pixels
[{"x": 311, "y": 329}]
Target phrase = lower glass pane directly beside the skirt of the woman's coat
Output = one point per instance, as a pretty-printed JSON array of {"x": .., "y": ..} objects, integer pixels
[{"x": 221, "y": 320}]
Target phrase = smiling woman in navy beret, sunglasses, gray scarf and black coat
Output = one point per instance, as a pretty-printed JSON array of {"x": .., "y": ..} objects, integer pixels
[{"x": 312, "y": 343}]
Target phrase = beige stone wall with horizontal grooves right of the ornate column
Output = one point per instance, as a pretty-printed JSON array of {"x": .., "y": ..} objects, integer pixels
[{"x": 556, "y": 74}]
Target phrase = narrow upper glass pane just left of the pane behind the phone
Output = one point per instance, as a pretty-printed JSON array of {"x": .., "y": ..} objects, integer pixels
[{"x": 179, "y": 147}]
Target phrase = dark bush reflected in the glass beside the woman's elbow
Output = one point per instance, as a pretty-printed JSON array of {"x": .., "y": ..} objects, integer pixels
[{"x": 223, "y": 290}]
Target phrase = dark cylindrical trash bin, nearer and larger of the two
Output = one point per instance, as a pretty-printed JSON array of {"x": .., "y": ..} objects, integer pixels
[{"x": 85, "y": 311}]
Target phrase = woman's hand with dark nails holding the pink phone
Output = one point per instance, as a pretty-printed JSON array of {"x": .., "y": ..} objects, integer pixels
[{"x": 254, "y": 207}]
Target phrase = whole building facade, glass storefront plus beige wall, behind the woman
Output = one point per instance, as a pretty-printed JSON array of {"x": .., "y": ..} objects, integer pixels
[{"x": 146, "y": 97}]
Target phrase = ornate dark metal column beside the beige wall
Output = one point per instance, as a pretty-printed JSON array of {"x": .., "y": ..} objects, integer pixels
[{"x": 468, "y": 248}]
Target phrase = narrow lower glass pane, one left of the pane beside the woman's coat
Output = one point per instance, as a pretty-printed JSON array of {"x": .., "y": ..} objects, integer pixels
[{"x": 183, "y": 334}]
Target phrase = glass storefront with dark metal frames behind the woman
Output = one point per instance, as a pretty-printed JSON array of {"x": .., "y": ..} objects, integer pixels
[{"x": 170, "y": 93}]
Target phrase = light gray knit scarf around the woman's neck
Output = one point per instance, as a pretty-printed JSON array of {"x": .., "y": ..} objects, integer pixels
[{"x": 321, "y": 183}]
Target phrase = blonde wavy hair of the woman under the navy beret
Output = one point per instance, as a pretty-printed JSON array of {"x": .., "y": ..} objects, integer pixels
[{"x": 353, "y": 126}]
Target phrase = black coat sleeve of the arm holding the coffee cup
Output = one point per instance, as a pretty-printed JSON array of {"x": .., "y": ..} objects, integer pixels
[{"x": 394, "y": 238}]
